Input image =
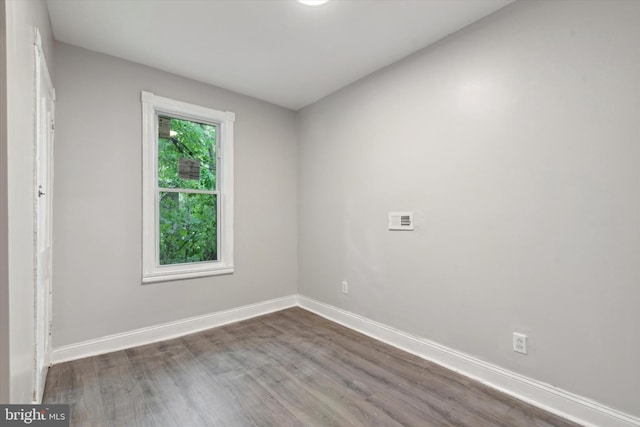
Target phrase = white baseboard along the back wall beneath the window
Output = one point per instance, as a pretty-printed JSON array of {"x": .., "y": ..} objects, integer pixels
[{"x": 167, "y": 330}]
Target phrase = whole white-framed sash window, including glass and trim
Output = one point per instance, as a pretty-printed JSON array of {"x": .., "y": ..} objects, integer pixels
[{"x": 187, "y": 190}]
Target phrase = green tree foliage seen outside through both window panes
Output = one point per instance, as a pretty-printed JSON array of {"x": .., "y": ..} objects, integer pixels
[{"x": 188, "y": 221}]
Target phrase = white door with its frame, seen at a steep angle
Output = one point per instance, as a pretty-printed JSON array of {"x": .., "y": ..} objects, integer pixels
[{"x": 45, "y": 104}]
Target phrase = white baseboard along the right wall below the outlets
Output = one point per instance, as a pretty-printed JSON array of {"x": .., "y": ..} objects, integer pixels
[{"x": 545, "y": 396}]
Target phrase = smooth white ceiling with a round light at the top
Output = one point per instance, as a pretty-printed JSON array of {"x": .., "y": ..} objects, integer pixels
[{"x": 276, "y": 50}]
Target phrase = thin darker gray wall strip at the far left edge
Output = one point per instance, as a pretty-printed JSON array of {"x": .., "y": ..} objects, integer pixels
[{"x": 4, "y": 219}]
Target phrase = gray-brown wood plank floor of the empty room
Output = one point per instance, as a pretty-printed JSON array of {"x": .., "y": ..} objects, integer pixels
[{"x": 290, "y": 368}]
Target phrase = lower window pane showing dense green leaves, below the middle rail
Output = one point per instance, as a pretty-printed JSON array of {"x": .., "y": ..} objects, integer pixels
[{"x": 188, "y": 228}]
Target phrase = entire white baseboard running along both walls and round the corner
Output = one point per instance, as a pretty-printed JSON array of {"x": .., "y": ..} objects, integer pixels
[{"x": 545, "y": 396}]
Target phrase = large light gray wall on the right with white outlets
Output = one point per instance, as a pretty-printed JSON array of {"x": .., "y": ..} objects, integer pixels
[{"x": 516, "y": 143}]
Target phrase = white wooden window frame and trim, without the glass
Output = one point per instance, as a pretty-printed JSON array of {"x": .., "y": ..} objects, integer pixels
[{"x": 152, "y": 271}]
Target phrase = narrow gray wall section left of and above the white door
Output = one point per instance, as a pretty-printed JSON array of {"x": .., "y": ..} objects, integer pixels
[{"x": 22, "y": 17}]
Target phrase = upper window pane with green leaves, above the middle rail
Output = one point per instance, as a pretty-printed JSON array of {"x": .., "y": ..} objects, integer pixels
[{"x": 186, "y": 154}]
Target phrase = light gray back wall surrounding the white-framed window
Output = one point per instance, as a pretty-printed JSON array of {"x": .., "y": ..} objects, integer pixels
[{"x": 97, "y": 201}]
